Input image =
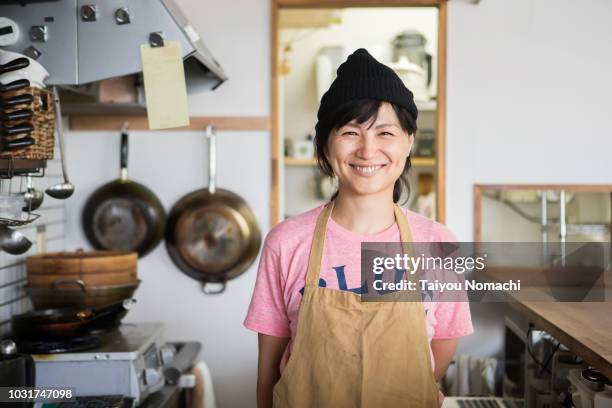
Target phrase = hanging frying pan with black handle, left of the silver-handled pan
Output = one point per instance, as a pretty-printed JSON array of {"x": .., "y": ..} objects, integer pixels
[{"x": 124, "y": 215}]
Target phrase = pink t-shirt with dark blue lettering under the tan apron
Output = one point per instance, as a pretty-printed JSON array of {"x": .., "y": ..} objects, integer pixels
[{"x": 284, "y": 260}]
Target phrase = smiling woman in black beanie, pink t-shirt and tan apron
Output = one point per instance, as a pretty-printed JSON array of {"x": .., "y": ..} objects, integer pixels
[{"x": 332, "y": 349}]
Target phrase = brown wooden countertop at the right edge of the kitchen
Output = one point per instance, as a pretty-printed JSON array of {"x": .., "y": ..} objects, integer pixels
[{"x": 585, "y": 328}]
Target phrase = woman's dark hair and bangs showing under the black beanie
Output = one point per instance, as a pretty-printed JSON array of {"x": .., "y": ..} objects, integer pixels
[{"x": 360, "y": 110}]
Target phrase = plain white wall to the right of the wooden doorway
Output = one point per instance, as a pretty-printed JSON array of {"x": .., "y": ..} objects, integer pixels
[{"x": 528, "y": 102}]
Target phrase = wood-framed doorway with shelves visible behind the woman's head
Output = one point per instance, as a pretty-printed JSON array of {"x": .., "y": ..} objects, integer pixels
[{"x": 309, "y": 40}]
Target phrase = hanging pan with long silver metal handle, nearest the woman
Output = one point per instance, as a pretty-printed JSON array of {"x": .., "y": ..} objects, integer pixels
[{"x": 212, "y": 234}]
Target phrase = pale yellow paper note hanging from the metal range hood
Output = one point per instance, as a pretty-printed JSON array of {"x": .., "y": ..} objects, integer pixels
[{"x": 165, "y": 89}]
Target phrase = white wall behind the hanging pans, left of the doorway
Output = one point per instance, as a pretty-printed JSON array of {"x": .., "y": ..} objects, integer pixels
[{"x": 173, "y": 164}]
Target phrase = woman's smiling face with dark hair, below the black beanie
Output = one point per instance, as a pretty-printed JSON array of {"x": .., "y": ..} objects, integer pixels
[{"x": 369, "y": 138}]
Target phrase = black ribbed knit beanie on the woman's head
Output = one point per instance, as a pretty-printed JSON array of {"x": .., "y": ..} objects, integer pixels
[{"x": 362, "y": 77}]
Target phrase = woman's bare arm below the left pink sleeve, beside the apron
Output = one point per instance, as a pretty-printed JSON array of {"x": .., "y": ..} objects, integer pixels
[{"x": 271, "y": 351}]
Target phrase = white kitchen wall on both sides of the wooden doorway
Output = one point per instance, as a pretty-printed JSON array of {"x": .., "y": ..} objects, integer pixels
[{"x": 528, "y": 89}]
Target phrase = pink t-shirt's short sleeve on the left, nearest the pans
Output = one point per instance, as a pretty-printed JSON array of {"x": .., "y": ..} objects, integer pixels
[{"x": 267, "y": 313}]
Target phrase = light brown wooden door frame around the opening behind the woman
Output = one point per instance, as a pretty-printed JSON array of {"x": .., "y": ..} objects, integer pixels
[{"x": 276, "y": 154}]
